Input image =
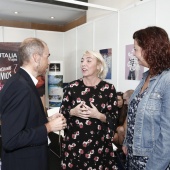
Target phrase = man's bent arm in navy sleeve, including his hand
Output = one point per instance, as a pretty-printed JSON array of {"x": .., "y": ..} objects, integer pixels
[{"x": 23, "y": 120}]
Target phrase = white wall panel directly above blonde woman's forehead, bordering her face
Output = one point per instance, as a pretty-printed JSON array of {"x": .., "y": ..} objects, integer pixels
[{"x": 84, "y": 42}]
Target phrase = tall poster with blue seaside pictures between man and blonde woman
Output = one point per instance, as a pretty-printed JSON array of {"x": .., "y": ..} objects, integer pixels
[{"x": 55, "y": 84}]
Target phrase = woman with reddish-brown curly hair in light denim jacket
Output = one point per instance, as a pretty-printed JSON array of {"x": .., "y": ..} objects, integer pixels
[{"x": 147, "y": 141}]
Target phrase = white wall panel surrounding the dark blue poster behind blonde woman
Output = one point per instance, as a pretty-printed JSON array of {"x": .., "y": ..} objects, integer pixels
[{"x": 106, "y": 36}]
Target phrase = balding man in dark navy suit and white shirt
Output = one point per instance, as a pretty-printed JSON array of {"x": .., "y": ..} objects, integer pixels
[{"x": 24, "y": 124}]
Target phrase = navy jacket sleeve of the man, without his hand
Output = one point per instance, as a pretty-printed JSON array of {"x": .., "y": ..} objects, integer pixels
[{"x": 17, "y": 130}]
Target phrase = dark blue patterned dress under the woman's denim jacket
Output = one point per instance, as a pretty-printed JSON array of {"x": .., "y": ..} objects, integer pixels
[{"x": 134, "y": 162}]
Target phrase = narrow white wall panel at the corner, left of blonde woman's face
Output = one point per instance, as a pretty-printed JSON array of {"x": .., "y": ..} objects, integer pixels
[{"x": 70, "y": 57}]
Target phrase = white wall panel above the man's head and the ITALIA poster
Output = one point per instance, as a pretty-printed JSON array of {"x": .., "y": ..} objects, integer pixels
[{"x": 17, "y": 34}]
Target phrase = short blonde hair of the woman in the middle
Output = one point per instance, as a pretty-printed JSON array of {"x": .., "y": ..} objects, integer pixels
[{"x": 102, "y": 72}]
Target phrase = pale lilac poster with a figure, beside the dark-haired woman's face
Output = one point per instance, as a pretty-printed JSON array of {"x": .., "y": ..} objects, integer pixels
[{"x": 133, "y": 71}]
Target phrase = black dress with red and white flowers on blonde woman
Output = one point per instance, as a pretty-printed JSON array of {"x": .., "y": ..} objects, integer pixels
[{"x": 87, "y": 143}]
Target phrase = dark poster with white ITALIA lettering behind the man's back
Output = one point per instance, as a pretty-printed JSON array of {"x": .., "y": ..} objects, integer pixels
[{"x": 9, "y": 63}]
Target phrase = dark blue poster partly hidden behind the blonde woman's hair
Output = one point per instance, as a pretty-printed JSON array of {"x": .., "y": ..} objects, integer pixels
[{"x": 107, "y": 55}]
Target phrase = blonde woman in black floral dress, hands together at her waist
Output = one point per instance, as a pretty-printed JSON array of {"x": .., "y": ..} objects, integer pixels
[{"x": 89, "y": 105}]
